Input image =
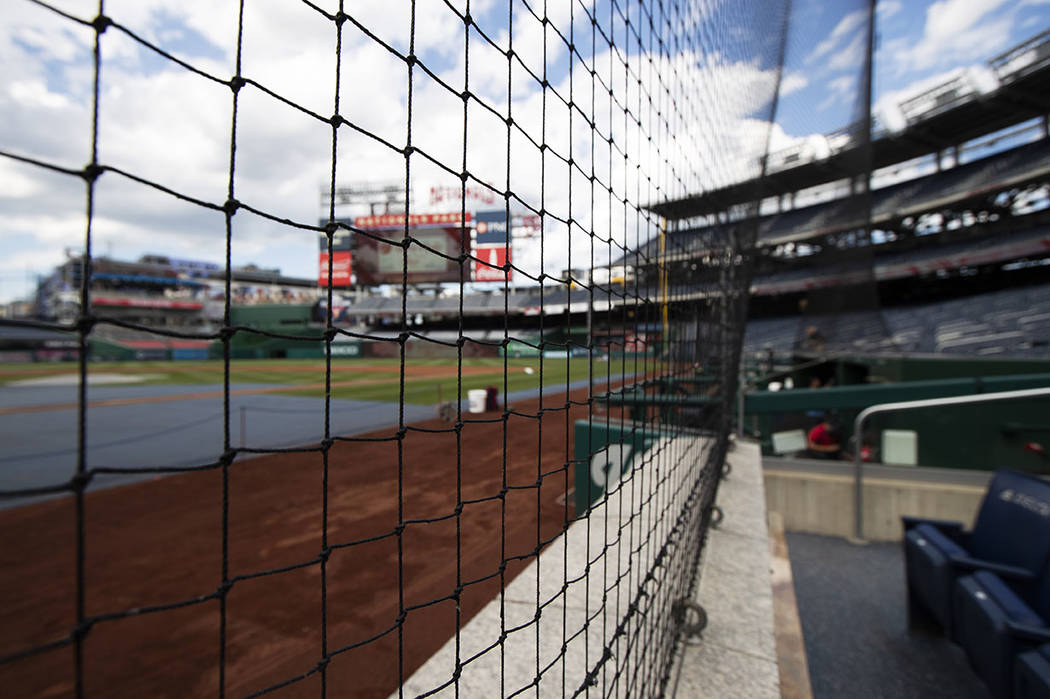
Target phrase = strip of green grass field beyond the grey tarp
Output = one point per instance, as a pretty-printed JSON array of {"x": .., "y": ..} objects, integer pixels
[{"x": 362, "y": 379}]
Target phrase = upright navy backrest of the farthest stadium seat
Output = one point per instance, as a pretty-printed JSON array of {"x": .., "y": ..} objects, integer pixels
[{"x": 1014, "y": 523}]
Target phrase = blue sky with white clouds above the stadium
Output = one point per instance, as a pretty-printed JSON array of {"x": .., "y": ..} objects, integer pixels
[{"x": 163, "y": 123}]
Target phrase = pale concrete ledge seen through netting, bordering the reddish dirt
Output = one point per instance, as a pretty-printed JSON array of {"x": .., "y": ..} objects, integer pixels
[{"x": 555, "y": 622}]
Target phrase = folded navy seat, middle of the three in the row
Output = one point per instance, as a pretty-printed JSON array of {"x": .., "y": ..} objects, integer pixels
[{"x": 996, "y": 622}]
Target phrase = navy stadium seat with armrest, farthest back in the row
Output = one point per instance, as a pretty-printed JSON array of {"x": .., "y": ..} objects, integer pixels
[{"x": 1011, "y": 538}]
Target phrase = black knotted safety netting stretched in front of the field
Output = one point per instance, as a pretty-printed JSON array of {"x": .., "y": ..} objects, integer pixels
[{"x": 544, "y": 543}]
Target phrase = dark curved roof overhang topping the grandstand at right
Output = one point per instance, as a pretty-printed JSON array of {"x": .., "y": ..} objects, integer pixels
[{"x": 1022, "y": 95}]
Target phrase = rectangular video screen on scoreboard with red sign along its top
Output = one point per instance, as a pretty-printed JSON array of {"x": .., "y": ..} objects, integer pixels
[{"x": 381, "y": 263}]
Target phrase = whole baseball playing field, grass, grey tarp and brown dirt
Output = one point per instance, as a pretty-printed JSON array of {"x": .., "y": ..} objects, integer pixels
[{"x": 349, "y": 569}]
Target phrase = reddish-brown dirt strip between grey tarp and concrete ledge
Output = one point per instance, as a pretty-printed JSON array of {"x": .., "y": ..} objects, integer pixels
[{"x": 160, "y": 543}]
